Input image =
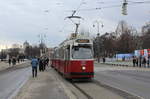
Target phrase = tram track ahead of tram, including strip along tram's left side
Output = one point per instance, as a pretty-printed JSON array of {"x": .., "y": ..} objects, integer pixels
[{"x": 94, "y": 89}]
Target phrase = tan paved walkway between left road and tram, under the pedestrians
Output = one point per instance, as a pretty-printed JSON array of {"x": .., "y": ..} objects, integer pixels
[{"x": 45, "y": 86}]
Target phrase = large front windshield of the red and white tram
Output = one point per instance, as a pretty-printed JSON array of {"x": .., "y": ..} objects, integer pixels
[{"x": 82, "y": 52}]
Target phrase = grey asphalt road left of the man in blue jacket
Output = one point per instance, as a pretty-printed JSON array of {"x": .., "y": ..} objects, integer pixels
[{"x": 12, "y": 81}]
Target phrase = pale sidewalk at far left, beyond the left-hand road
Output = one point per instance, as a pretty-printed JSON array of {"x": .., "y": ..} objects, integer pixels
[{"x": 5, "y": 65}]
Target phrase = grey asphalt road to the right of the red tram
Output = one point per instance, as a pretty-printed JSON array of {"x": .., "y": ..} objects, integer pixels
[{"x": 134, "y": 81}]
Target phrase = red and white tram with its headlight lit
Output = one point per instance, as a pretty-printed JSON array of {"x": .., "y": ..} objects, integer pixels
[{"x": 74, "y": 58}]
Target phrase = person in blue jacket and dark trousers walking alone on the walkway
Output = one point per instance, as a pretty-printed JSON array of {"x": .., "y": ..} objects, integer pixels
[{"x": 34, "y": 64}]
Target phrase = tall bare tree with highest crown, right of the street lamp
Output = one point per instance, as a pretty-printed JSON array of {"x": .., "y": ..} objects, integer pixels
[{"x": 127, "y": 39}]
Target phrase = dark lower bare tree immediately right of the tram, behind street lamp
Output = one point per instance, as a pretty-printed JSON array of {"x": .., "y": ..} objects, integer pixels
[{"x": 105, "y": 45}]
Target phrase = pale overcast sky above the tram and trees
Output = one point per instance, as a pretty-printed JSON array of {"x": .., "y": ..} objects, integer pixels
[{"x": 22, "y": 20}]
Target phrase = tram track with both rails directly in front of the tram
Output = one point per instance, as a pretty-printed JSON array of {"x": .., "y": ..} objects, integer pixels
[{"x": 97, "y": 90}]
